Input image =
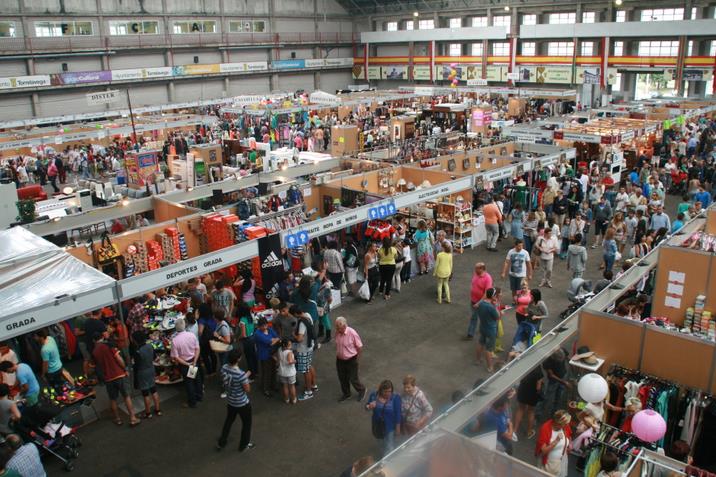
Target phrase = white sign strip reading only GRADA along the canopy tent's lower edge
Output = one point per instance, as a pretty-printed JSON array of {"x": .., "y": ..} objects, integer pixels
[{"x": 31, "y": 320}]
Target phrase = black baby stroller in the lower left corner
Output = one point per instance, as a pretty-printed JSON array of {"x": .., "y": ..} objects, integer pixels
[{"x": 43, "y": 426}]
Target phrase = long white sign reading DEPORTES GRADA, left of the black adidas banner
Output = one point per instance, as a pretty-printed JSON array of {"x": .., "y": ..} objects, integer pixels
[{"x": 186, "y": 269}]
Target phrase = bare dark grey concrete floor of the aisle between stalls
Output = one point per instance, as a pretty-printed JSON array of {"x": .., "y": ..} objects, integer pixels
[{"x": 411, "y": 333}]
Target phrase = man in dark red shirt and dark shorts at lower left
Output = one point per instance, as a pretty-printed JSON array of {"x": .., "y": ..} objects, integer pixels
[{"x": 113, "y": 372}]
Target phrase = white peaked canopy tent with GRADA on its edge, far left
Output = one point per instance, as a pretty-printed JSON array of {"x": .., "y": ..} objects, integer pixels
[{"x": 41, "y": 284}]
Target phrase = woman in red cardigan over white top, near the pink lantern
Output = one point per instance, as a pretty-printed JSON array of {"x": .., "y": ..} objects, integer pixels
[{"x": 552, "y": 444}]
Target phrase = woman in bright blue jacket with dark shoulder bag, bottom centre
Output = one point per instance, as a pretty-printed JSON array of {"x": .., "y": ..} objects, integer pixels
[{"x": 387, "y": 414}]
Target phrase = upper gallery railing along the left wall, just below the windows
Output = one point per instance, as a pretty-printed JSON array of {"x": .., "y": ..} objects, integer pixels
[{"x": 167, "y": 40}]
